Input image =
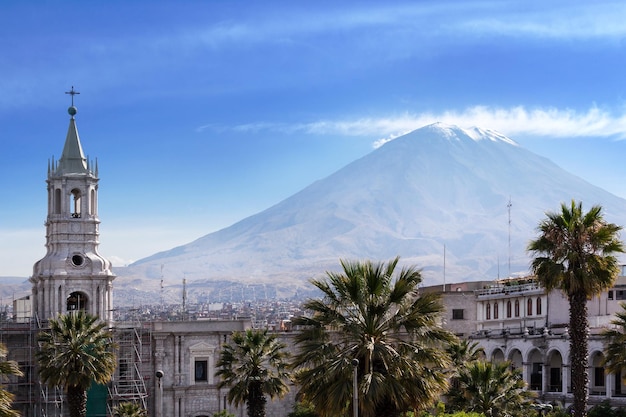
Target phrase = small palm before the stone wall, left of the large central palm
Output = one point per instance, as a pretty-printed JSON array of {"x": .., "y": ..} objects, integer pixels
[{"x": 253, "y": 365}]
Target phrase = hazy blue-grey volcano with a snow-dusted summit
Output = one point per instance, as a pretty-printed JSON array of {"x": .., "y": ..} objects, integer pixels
[{"x": 471, "y": 196}]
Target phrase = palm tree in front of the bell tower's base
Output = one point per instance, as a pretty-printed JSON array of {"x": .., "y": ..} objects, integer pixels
[{"x": 76, "y": 351}]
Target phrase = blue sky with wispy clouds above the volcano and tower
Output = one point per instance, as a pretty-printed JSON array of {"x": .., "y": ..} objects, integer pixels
[{"x": 202, "y": 113}]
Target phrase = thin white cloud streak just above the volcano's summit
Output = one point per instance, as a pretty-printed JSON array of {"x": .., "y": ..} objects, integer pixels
[{"x": 546, "y": 122}]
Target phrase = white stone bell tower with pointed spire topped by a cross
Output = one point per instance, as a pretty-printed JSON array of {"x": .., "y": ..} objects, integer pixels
[{"x": 72, "y": 275}]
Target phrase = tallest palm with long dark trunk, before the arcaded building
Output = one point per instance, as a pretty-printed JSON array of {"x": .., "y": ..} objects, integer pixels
[{"x": 575, "y": 253}]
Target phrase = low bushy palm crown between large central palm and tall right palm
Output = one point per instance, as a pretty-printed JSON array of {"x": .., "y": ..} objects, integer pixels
[{"x": 493, "y": 389}]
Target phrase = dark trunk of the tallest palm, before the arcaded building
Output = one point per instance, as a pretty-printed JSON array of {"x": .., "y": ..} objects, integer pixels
[{"x": 578, "y": 326}]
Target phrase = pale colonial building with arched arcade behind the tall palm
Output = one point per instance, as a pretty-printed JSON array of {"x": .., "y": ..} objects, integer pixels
[{"x": 518, "y": 321}]
